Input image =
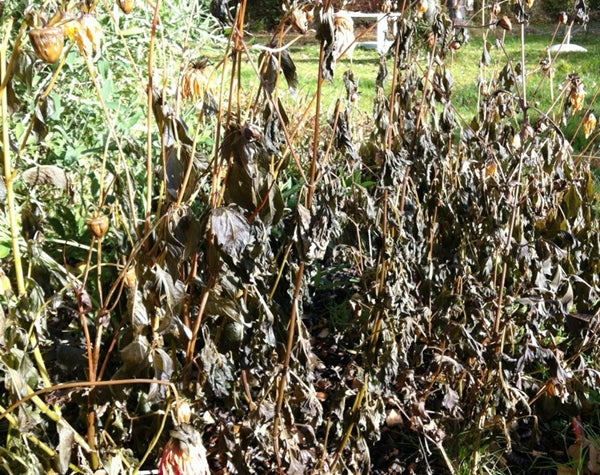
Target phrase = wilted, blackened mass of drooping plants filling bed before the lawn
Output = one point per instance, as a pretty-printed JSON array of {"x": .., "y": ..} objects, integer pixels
[{"x": 320, "y": 306}]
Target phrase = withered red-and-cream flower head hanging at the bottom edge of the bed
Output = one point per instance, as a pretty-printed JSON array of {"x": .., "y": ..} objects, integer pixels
[{"x": 184, "y": 453}]
